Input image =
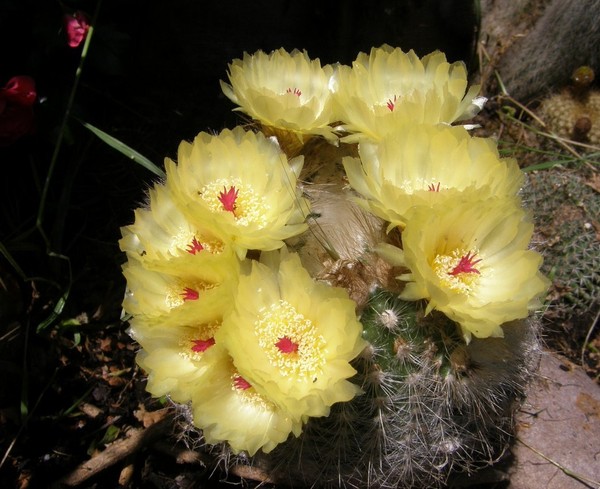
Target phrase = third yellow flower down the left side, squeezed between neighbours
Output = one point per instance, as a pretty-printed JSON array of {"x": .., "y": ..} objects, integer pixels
[{"x": 185, "y": 295}]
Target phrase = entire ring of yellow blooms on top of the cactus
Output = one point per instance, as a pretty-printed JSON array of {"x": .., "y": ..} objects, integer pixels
[{"x": 230, "y": 321}]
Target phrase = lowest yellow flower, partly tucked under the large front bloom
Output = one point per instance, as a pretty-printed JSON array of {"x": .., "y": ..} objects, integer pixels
[{"x": 228, "y": 409}]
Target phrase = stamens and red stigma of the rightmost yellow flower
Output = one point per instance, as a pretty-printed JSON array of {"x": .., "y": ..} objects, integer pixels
[{"x": 457, "y": 270}]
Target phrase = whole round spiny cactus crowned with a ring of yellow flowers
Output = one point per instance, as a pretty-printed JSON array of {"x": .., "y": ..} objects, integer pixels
[{"x": 342, "y": 293}]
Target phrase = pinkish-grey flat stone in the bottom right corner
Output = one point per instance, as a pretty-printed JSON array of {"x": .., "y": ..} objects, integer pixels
[{"x": 558, "y": 435}]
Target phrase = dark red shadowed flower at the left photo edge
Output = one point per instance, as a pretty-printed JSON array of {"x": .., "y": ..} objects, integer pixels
[{"x": 16, "y": 109}]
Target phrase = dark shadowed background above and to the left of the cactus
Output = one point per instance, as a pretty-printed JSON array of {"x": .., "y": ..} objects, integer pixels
[{"x": 150, "y": 79}]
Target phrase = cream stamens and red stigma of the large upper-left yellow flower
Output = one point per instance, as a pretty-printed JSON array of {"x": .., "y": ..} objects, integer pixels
[{"x": 240, "y": 200}]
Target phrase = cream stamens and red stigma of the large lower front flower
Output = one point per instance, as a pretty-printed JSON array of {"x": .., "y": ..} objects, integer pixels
[{"x": 290, "y": 341}]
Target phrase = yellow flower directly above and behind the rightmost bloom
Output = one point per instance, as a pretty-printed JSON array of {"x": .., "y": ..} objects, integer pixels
[{"x": 426, "y": 165}]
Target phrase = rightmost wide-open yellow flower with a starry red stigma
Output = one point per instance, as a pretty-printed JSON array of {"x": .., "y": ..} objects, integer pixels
[{"x": 471, "y": 260}]
